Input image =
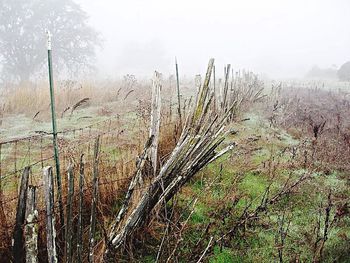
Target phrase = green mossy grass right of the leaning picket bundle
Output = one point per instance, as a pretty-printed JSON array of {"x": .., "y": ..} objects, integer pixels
[{"x": 257, "y": 243}]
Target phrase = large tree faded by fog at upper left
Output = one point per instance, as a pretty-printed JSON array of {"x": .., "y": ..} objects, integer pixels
[{"x": 23, "y": 41}]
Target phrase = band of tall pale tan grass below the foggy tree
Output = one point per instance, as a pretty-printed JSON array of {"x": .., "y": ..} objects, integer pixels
[{"x": 32, "y": 100}]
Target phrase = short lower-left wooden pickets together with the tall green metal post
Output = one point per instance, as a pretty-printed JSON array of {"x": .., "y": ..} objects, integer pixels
[{"x": 25, "y": 235}]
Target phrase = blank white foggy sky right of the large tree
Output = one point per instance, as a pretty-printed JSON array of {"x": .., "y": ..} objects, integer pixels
[{"x": 280, "y": 38}]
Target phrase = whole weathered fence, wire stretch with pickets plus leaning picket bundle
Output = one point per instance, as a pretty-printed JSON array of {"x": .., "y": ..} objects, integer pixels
[{"x": 97, "y": 164}]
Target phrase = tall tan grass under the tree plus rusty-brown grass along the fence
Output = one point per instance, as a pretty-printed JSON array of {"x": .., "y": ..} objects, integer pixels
[{"x": 115, "y": 175}]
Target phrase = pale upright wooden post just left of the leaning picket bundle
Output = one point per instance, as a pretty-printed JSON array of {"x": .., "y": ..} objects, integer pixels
[{"x": 155, "y": 118}]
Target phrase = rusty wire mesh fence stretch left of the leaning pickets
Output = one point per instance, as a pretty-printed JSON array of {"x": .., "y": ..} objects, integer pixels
[{"x": 120, "y": 142}]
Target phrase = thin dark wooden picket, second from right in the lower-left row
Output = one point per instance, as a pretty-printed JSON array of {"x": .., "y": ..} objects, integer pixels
[{"x": 80, "y": 211}]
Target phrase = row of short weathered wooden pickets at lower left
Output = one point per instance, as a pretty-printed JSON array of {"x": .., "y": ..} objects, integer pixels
[{"x": 25, "y": 234}]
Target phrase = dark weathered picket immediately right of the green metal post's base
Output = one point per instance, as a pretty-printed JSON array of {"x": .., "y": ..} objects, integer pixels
[{"x": 69, "y": 211}]
